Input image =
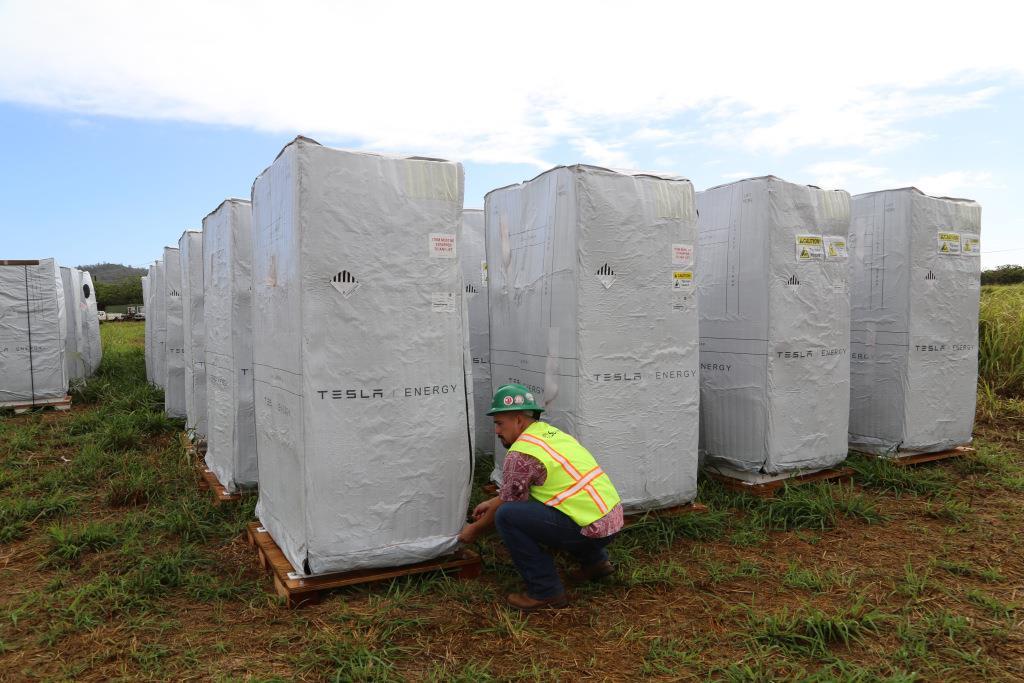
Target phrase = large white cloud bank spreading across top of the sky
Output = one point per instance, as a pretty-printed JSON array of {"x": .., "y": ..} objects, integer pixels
[{"x": 477, "y": 82}]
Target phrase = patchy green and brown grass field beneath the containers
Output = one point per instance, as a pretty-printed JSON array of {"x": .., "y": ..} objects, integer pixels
[{"x": 115, "y": 566}]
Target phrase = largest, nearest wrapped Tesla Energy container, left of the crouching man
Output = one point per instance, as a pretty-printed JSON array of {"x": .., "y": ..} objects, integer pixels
[{"x": 361, "y": 358}]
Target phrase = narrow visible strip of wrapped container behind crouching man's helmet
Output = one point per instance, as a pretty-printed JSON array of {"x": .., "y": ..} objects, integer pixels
[{"x": 474, "y": 259}]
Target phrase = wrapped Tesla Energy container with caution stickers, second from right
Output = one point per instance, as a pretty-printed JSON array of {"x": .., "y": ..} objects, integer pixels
[{"x": 775, "y": 326}]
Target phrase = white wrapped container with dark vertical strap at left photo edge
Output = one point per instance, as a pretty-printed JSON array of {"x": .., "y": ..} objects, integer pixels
[{"x": 32, "y": 332}]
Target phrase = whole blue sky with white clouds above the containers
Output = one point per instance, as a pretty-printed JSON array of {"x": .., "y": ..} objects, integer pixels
[{"x": 123, "y": 124}]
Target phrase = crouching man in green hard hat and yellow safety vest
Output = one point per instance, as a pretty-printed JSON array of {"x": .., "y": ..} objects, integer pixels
[{"x": 553, "y": 495}]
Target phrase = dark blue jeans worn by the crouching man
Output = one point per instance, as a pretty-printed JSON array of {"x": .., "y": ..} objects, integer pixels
[{"x": 526, "y": 526}]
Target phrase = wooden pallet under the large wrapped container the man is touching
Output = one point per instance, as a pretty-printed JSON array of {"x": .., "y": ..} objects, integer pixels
[{"x": 300, "y": 591}]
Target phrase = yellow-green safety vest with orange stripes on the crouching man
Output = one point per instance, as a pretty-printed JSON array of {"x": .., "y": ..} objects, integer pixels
[{"x": 576, "y": 484}]
